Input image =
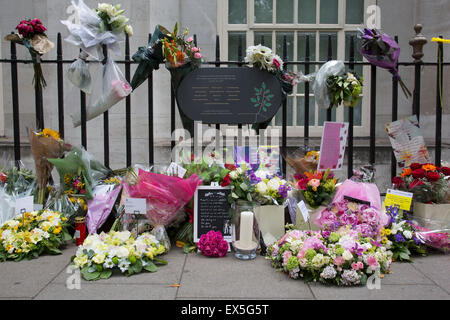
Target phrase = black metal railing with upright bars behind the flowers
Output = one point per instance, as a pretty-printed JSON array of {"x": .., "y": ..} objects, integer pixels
[{"x": 307, "y": 63}]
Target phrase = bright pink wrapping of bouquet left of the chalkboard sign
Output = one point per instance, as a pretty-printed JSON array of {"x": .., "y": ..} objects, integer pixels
[{"x": 165, "y": 196}]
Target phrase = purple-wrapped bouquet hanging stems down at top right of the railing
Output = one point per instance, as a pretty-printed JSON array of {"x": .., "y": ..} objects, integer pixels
[{"x": 382, "y": 51}]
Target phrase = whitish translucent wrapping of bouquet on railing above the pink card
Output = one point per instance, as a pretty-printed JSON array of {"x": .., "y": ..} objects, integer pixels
[{"x": 320, "y": 87}]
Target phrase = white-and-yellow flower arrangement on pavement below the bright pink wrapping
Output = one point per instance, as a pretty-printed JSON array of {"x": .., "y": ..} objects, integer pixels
[{"x": 101, "y": 254}]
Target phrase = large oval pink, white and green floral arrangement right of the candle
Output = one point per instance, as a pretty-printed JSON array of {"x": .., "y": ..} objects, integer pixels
[{"x": 341, "y": 257}]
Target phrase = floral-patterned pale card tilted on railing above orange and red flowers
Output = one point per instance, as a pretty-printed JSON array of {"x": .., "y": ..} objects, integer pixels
[{"x": 407, "y": 142}]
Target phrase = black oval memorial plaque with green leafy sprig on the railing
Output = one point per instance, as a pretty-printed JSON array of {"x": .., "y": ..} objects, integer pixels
[{"x": 229, "y": 95}]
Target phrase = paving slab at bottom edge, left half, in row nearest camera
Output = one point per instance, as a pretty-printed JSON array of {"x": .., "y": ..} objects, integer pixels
[{"x": 99, "y": 291}]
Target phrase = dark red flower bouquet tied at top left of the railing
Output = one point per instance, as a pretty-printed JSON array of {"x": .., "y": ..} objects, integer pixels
[{"x": 31, "y": 34}]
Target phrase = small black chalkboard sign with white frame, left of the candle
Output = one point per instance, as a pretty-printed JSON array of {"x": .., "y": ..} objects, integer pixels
[{"x": 212, "y": 212}]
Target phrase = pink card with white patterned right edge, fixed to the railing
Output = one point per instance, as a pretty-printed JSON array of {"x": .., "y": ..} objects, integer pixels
[{"x": 332, "y": 148}]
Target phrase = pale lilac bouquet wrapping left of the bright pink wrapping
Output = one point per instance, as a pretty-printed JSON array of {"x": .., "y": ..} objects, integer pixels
[{"x": 100, "y": 207}]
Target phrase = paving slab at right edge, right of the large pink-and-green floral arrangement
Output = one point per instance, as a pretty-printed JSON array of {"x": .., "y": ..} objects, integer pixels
[{"x": 436, "y": 267}]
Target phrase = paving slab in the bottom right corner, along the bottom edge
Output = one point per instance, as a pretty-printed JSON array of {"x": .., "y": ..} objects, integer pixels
[{"x": 386, "y": 292}]
